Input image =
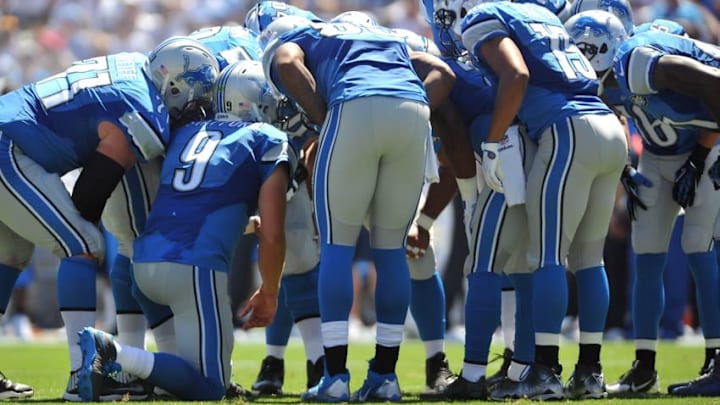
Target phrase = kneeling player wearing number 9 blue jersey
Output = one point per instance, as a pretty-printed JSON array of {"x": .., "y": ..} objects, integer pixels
[{"x": 228, "y": 168}]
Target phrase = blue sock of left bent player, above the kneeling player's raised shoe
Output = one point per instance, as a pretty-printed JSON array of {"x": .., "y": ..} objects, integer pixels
[{"x": 76, "y": 284}]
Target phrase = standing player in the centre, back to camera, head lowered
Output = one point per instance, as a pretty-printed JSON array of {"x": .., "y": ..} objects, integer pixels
[{"x": 370, "y": 80}]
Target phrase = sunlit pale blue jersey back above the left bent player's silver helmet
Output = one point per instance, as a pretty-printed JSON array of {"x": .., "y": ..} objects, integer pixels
[{"x": 229, "y": 44}]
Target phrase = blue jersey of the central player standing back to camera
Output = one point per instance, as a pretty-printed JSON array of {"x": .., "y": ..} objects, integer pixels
[{"x": 349, "y": 61}]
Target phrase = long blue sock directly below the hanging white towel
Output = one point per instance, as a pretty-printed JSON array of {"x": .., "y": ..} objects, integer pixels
[{"x": 482, "y": 315}]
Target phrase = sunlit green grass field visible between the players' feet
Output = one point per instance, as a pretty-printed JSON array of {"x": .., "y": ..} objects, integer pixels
[{"x": 45, "y": 367}]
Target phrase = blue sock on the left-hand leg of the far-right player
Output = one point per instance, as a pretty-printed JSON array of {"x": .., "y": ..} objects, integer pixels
[{"x": 648, "y": 299}]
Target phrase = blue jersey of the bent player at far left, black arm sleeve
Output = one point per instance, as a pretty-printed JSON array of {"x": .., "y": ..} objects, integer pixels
[{"x": 55, "y": 121}]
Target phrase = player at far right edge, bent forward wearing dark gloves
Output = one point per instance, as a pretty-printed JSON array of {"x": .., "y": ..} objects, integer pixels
[{"x": 677, "y": 120}]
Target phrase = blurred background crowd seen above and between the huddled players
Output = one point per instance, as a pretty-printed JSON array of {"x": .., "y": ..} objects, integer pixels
[{"x": 39, "y": 38}]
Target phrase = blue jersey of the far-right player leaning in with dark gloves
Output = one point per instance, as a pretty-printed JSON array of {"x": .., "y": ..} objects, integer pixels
[{"x": 633, "y": 66}]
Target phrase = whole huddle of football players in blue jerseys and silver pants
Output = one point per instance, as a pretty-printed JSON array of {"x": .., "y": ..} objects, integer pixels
[{"x": 303, "y": 131}]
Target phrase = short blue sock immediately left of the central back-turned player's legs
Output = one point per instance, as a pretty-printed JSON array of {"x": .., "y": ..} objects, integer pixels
[{"x": 302, "y": 295}]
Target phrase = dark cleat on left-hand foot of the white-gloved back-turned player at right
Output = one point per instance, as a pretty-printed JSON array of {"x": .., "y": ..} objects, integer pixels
[{"x": 542, "y": 383}]
